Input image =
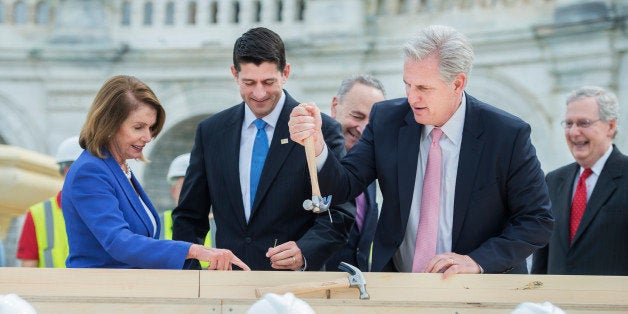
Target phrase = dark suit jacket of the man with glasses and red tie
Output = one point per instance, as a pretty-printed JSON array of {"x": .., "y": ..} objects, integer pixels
[{"x": 599, "y": 246}]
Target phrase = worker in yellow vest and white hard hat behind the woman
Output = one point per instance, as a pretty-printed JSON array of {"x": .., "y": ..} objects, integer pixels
[{"x": 43, "y": 242}]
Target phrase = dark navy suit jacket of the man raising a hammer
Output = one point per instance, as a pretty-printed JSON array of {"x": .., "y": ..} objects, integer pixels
[{"x": 501, "y": 203}]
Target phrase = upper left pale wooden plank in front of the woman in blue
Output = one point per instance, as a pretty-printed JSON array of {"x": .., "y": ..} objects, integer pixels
[{"x": 99, "y": 282}]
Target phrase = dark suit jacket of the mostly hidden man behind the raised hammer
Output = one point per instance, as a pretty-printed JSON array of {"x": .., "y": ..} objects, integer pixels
[{"x": 357, "y": 250}]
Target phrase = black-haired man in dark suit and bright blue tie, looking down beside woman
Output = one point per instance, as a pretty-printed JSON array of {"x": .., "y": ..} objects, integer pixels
[{"x": 243, "y": 166}]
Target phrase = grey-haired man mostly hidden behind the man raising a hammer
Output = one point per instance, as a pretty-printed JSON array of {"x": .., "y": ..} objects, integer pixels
[{"x": 351, "y": 107}]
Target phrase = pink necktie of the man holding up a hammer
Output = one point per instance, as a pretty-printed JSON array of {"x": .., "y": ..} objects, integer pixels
[{"x": 430, "y": 204}]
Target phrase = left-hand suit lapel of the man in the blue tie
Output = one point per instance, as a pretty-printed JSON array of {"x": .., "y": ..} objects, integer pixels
[{"x": 231, "y": 165}]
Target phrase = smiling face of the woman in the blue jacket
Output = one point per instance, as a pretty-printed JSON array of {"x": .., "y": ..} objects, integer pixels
[{"x": 134, "y": 134}]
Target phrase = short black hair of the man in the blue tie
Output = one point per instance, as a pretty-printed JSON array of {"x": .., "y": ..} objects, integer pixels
[{"x": 259, "y": 45}]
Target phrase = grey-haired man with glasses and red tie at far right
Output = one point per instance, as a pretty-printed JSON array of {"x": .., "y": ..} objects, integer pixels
[{"x": 590, "y": 196}]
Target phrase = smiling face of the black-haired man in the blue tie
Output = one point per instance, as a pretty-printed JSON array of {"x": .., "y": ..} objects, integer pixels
[{"x": 261, "y": 85}]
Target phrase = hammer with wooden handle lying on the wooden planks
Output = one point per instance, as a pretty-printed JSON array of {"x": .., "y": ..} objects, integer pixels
[{"x": 355, "y": 279}]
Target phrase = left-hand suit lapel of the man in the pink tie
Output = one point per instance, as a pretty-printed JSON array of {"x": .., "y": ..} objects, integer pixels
[{"x": 408, "y": 143}]
